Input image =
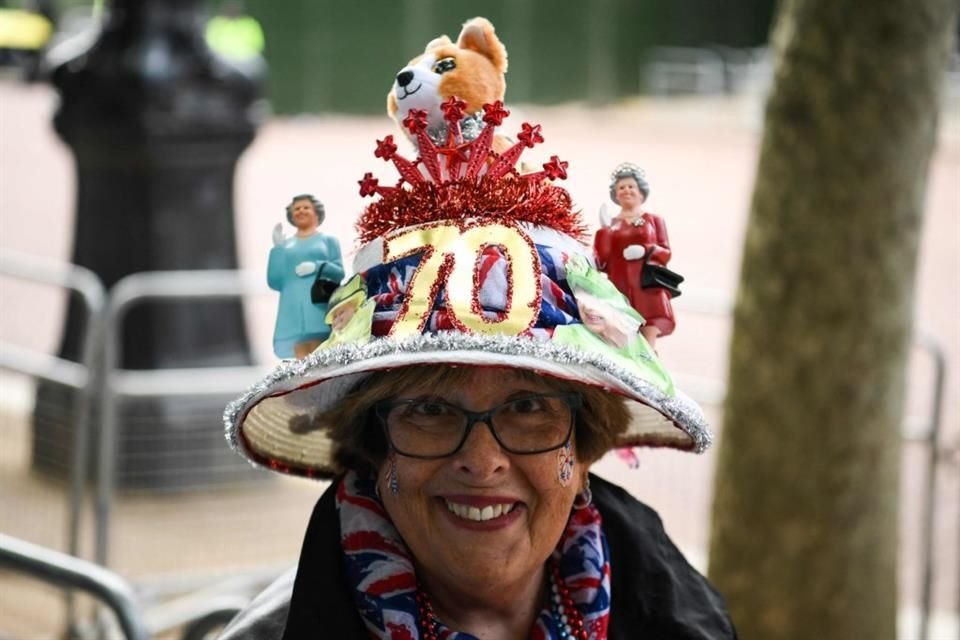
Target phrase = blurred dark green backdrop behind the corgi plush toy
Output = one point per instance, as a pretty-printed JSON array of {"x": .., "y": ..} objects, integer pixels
[{"x": 342, "y": 56}]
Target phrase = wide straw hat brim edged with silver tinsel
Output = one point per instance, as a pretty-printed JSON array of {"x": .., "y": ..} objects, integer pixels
[{"x": 270, "y": 424}]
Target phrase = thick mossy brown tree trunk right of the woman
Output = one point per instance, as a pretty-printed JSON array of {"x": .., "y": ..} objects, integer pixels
[{"x": 805, "y": 514}]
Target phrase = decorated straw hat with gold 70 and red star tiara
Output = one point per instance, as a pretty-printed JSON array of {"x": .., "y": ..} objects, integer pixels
[{"x": 466, "y": 261}]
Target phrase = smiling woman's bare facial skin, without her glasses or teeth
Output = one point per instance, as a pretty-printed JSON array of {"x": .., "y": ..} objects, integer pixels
[{"x": 505, "y": 549}]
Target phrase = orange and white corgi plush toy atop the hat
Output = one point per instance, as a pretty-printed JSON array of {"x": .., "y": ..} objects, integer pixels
[{"x": 471, "y": 69}]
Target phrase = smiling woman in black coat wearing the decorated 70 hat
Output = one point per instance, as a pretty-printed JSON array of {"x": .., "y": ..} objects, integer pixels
[{"x": 459, "y": 436}]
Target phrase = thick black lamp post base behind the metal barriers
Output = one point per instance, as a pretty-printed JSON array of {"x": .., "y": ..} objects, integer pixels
[{"x": 156, "y": 123}]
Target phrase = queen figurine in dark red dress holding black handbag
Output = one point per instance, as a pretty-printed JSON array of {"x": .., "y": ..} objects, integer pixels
[{"x": 633, "y": 250}]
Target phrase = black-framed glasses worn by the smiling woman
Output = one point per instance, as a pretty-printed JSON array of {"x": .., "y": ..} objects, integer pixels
[{"x": 429, "y": 427}]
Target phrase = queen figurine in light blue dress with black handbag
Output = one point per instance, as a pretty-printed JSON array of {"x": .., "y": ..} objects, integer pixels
[{"x": 301, "y": 267}]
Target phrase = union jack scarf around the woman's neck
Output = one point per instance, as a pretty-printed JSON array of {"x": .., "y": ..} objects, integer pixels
[{"x": 381, "y": 573}]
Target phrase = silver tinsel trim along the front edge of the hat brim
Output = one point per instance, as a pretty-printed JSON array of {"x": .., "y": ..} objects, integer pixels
[{"x": 326, "y": 363}]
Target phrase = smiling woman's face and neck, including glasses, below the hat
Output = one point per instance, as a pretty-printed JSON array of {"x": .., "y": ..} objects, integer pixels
[{"x": 480, "y": 521}]
